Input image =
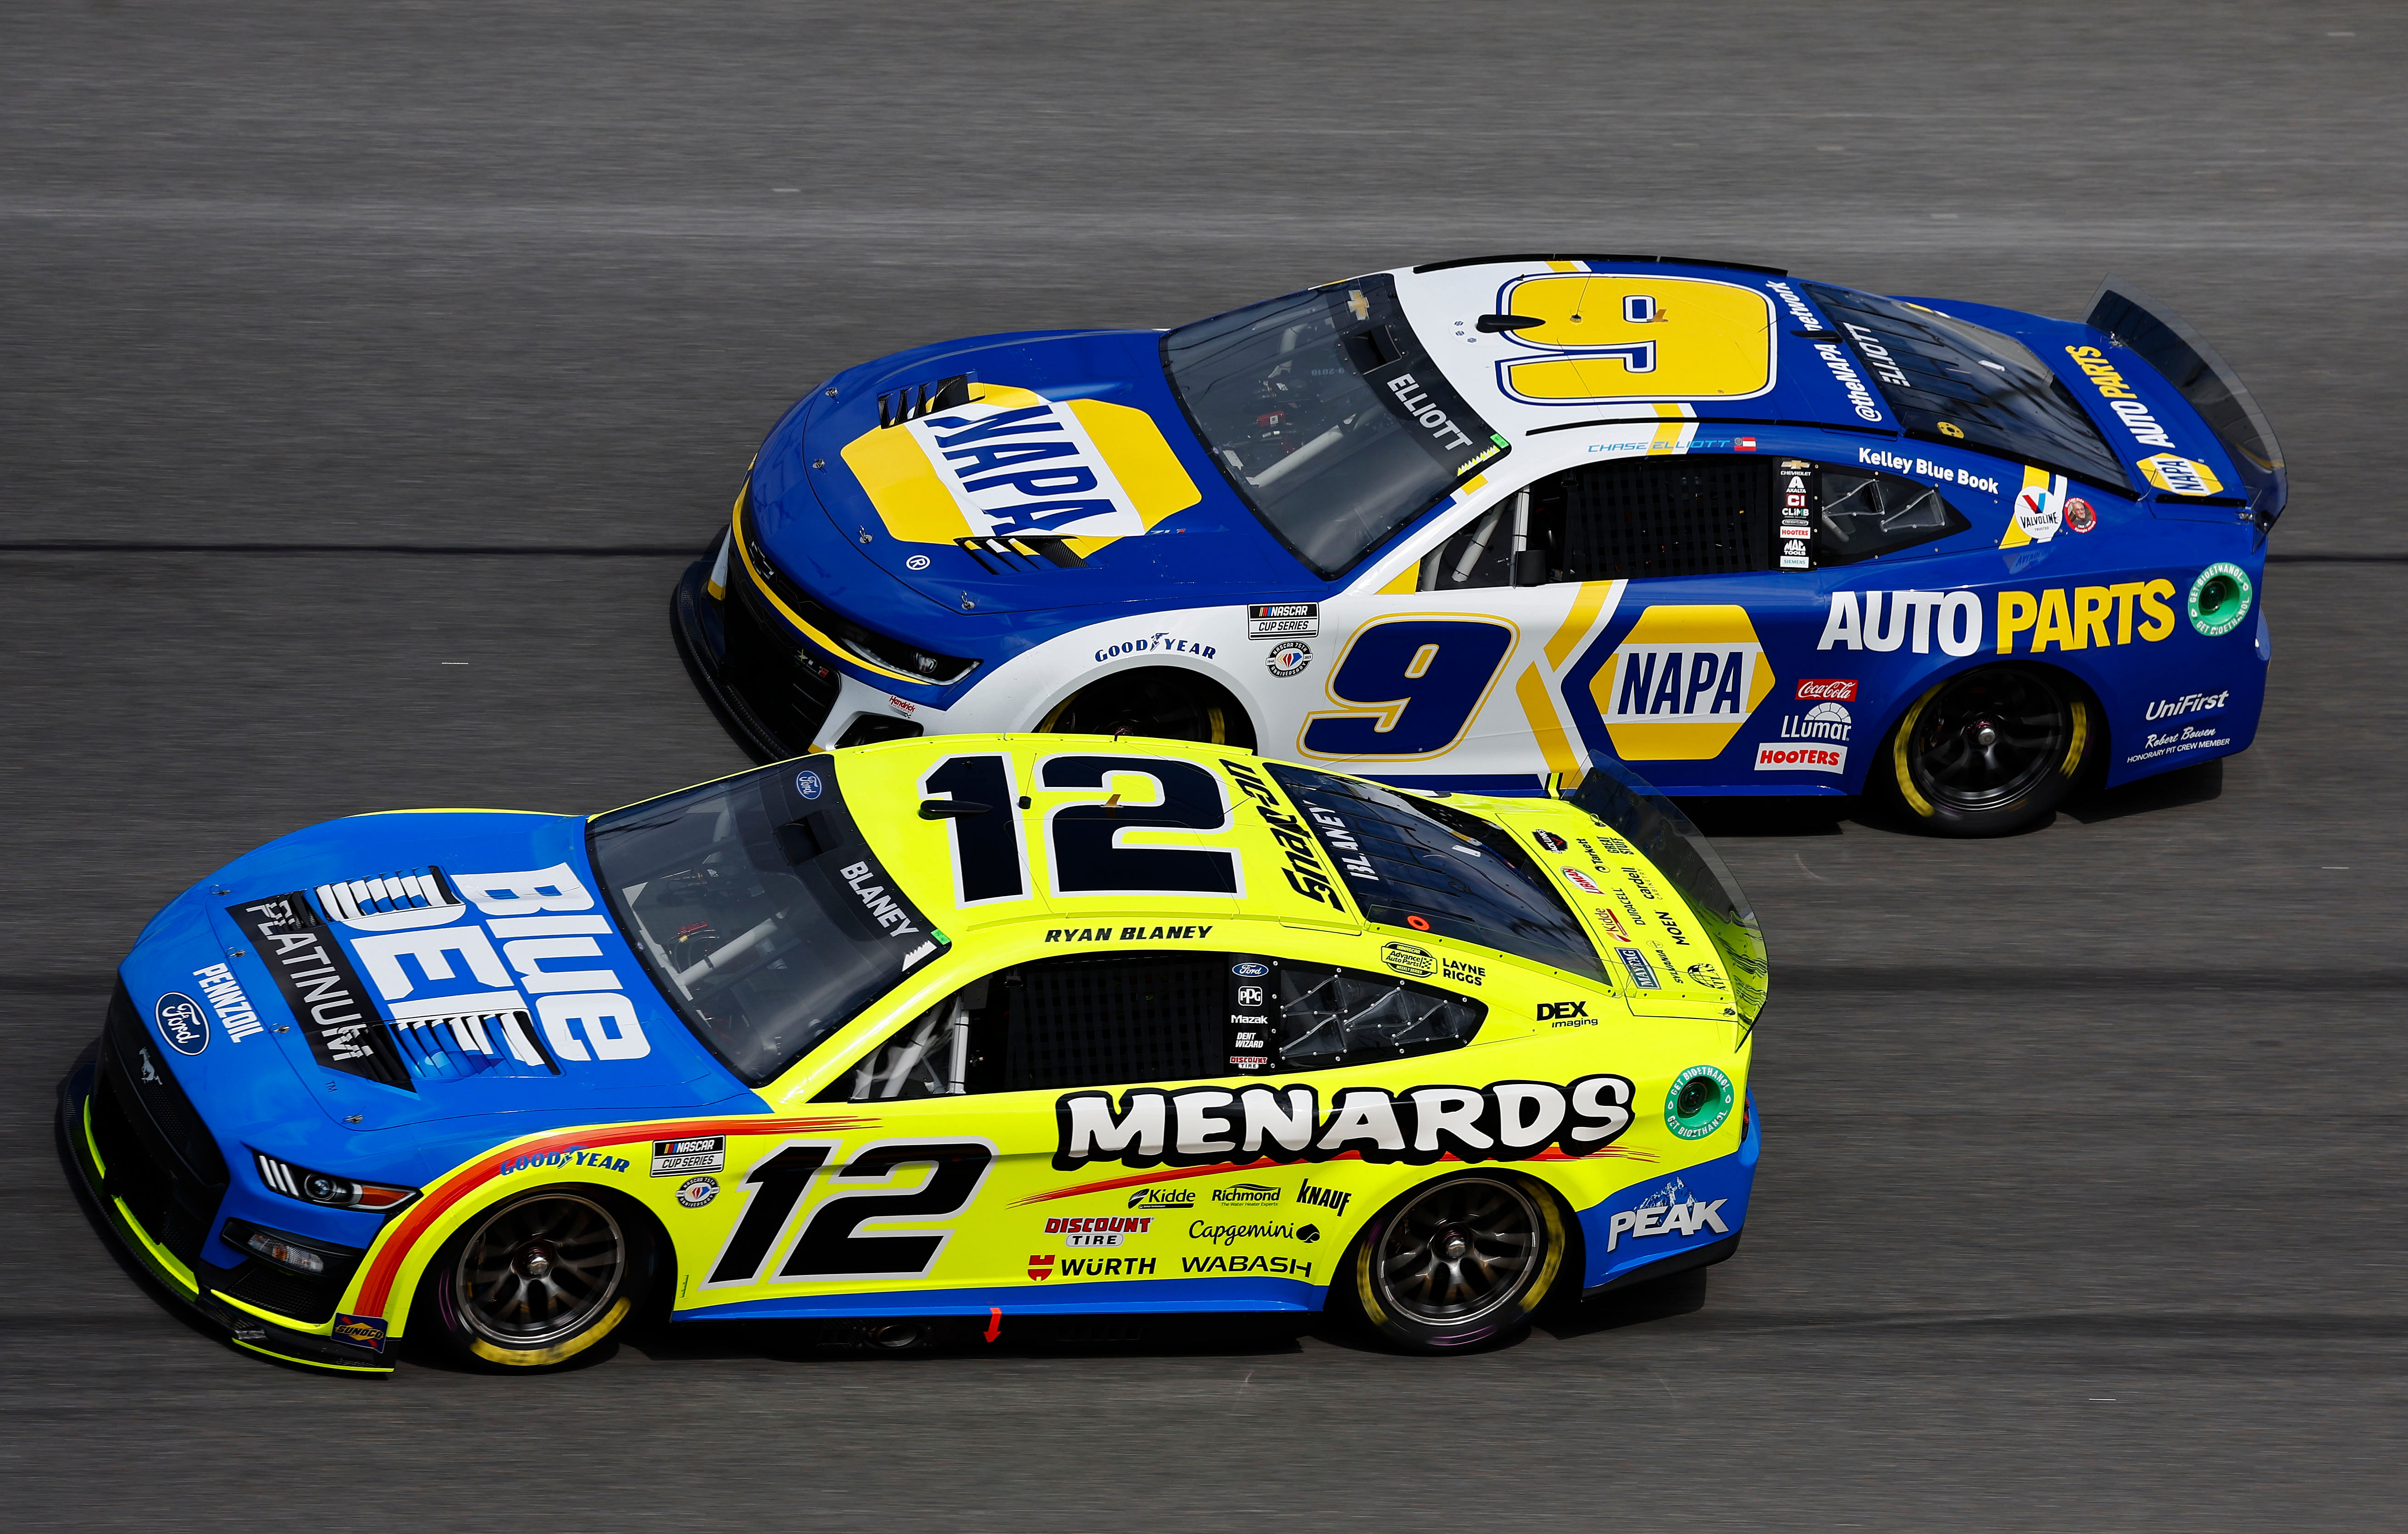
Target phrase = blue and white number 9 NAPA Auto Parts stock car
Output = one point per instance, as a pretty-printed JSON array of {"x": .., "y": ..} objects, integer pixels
[{"x": 1485, "y": 521}]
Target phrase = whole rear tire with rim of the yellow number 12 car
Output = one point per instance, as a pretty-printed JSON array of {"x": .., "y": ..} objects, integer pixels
[{"x": 1458, "y": 1263}]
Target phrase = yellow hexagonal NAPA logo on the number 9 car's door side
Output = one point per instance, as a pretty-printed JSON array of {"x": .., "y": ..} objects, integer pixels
[{"x": 1682, "y": 683}]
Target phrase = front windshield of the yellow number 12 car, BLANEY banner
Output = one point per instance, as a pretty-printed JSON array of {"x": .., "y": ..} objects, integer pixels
[{"x": 760, "y": 909}]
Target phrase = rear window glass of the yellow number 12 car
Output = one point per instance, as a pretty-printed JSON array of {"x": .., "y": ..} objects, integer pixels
[{"x": 1422, "y": 866}]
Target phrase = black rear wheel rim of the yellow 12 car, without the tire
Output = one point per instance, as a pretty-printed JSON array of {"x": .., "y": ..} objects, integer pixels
[{"x": 1458, "y": 1253}]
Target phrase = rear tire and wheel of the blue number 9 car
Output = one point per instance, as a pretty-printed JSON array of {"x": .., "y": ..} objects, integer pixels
[{"x": 1988, "y": 753}]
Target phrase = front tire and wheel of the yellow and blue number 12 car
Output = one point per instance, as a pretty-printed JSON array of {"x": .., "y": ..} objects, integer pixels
[{"x": 536, "y": 1282}]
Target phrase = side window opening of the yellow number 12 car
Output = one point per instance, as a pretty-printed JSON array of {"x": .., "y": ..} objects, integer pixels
[{"x": 1167, "y": 1017}]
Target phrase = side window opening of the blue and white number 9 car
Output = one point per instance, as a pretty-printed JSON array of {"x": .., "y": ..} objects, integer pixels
[{"x": 1689, "y": 517}]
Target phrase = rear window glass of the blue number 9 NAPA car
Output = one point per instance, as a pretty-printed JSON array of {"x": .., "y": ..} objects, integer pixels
[{"x": 1969, "y": 384}]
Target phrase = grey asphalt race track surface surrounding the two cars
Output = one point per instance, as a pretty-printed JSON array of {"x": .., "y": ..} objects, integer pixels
[{"x": 367, "y": 374}]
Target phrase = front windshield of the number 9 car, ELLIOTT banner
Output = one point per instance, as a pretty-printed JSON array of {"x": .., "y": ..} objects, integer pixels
[{"x": 1328, "y": 418}]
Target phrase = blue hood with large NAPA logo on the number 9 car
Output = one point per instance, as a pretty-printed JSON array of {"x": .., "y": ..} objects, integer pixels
[{"x": 1066, "y": 454}]
